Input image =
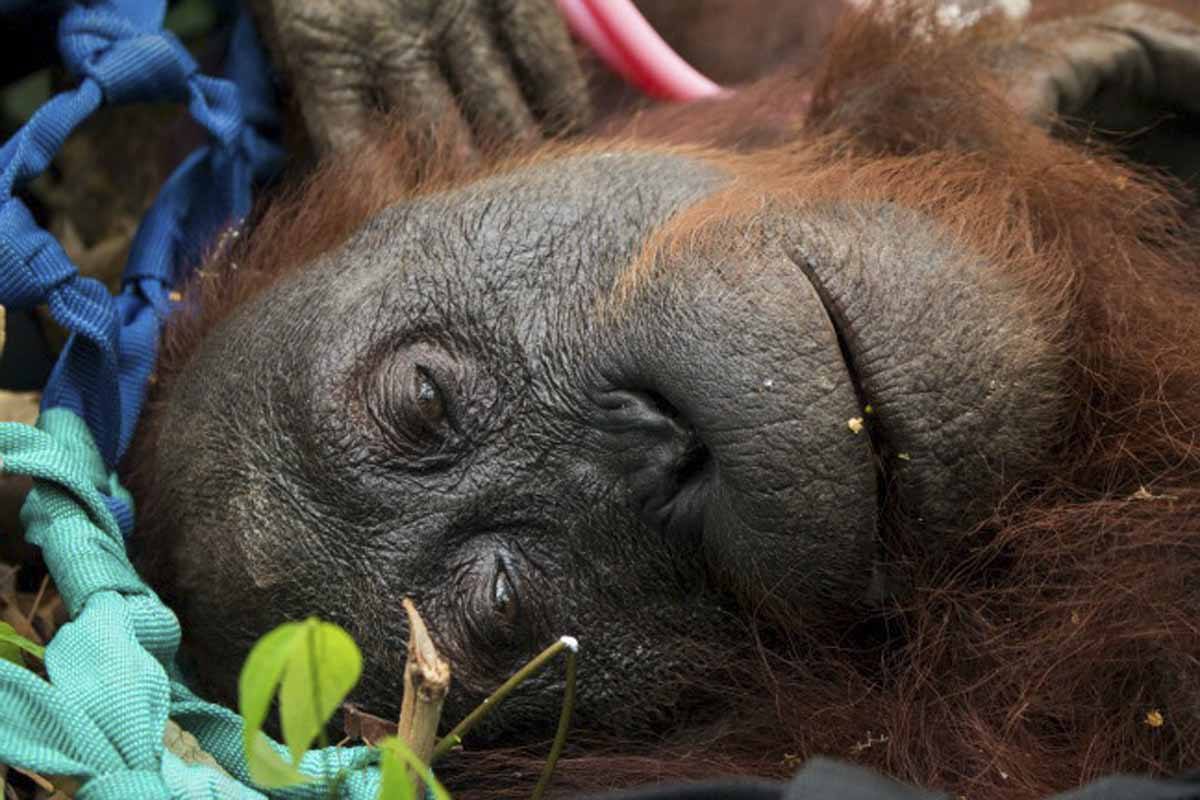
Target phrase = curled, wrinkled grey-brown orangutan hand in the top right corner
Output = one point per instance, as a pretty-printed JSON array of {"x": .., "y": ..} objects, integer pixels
[{"x": 1129, "y": 76}]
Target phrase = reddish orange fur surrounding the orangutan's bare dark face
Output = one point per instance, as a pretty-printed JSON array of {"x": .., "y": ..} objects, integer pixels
[{"x": 1028, "y": 655}]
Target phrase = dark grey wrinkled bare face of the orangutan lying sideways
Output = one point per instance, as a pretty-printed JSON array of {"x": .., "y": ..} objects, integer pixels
[{"x": 477, "y": 404}]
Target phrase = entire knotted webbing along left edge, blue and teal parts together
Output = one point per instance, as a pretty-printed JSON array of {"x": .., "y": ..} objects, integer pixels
[{"x": 113, "y": 679}]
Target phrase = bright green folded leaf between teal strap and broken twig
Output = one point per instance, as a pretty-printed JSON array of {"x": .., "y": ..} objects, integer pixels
[{"x": 313, "y": 666}]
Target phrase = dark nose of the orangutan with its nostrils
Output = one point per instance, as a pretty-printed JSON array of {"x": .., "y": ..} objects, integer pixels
[{"x": 659, "y": 456}]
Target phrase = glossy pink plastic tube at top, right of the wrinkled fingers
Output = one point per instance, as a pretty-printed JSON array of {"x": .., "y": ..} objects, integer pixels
[{"x": 622, "y": 38}]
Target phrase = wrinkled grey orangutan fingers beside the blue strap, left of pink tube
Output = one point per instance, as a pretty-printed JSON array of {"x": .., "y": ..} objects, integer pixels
[{"x": 496, "y": 70}]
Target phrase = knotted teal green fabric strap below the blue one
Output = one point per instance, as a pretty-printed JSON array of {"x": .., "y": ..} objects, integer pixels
[{"x": 112, "y": 676}]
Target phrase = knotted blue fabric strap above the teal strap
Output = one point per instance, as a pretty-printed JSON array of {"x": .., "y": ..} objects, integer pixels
[{"x": 122, "y": 55}]
